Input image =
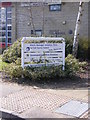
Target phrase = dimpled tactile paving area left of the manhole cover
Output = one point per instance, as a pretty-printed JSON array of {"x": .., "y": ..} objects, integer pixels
[{"x": 26, "y": 99}]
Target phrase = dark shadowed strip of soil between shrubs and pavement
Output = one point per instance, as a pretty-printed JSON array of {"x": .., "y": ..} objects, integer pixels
[{"x": 75, "y": 82}]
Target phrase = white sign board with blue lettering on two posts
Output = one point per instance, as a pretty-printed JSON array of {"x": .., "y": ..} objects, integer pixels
[{"x": 43, "y": 51}]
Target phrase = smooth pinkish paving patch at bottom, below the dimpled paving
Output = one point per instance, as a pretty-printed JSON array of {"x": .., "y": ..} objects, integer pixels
[{"x": 37, "y": 112}]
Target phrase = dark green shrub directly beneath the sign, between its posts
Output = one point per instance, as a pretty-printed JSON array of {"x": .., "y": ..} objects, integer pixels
[{"x": 42, "y": 73}]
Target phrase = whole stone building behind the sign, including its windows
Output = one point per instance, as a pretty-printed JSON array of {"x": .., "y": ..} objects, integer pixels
[{"x": 23, "y": 19}]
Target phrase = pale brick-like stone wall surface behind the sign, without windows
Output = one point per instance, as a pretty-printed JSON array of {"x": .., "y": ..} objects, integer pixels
[{"x": 53, "y": 20}]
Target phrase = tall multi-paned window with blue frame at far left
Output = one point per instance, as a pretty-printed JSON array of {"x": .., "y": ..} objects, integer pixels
[{"x": 6, "y": 22}]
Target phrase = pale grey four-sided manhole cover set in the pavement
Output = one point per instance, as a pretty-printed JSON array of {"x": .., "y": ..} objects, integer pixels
[{"x": 73, "y": 108}]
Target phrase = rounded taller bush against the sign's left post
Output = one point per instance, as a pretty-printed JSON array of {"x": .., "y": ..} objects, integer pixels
[{"x": 12, "y": 53}]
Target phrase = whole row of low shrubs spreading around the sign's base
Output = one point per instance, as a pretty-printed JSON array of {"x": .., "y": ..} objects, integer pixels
[{"x": 72, "y": 67}]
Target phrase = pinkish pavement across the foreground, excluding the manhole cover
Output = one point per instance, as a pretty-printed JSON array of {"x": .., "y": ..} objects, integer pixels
[{"x": 22, "y": 102}]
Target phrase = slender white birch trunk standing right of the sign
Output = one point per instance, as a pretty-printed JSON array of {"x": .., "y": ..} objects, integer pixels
[{"x": 77, "y": 28}]
